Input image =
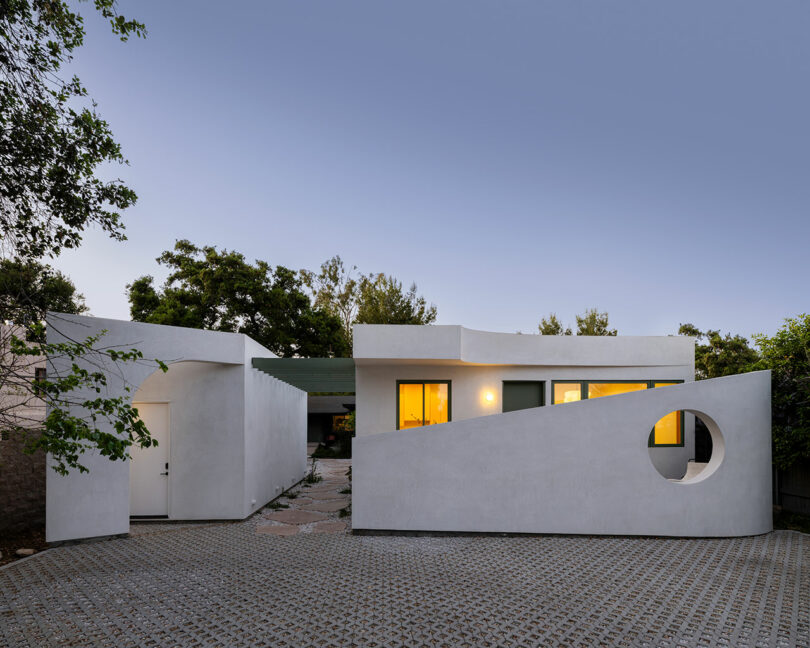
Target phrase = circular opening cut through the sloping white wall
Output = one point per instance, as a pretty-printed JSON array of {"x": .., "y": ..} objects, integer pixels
[{"x": 685, "y": 446}]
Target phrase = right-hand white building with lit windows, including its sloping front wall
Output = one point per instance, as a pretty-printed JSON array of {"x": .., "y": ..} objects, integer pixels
[{"x": 470, "y": 431}]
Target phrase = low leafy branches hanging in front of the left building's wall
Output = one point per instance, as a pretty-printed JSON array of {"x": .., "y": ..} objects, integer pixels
[{"x": 80, "y": 415}]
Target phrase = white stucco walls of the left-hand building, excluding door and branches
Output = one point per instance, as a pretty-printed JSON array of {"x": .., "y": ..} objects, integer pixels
[{"x": 222, "y": 455}]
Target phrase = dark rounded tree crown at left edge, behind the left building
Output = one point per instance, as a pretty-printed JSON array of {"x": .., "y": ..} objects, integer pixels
[{"x": 29, "y": 290}]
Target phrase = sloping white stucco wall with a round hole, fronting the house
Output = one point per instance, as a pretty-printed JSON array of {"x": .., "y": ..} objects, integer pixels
[{"x": 580, "y": 468}]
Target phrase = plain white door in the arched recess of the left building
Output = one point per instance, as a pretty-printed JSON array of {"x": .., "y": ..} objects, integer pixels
[{"x": 149, "y": 467}]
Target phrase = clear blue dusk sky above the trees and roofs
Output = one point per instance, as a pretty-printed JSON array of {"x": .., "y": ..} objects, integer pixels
[{"x": 513, "y": 158}]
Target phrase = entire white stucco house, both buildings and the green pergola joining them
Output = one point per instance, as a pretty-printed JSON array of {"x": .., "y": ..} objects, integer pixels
[{"x": 457, "y": 430}]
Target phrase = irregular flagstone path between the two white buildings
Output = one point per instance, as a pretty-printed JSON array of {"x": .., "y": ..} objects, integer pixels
[{"x": 316, "y": 507}]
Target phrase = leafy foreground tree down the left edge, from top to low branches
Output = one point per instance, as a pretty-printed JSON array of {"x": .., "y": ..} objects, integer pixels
[{"x": 52, "y": 144}]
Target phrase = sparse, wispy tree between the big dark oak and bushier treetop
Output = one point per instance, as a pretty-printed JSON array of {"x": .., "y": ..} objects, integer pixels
[{"x": 335, "y": 291}]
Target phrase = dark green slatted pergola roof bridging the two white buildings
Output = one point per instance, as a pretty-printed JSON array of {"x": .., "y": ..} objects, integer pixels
[{"x": 311, "y": 374}]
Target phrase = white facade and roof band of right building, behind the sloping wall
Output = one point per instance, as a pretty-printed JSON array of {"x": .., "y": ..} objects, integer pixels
[{"x": 477, "y": 362}]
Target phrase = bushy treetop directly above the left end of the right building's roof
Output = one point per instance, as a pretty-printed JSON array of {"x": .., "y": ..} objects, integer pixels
[{"x": 383, "y": 301}]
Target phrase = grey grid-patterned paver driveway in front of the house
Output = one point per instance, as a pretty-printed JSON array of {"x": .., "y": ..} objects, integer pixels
[{"x": 236, "y": 585}]
